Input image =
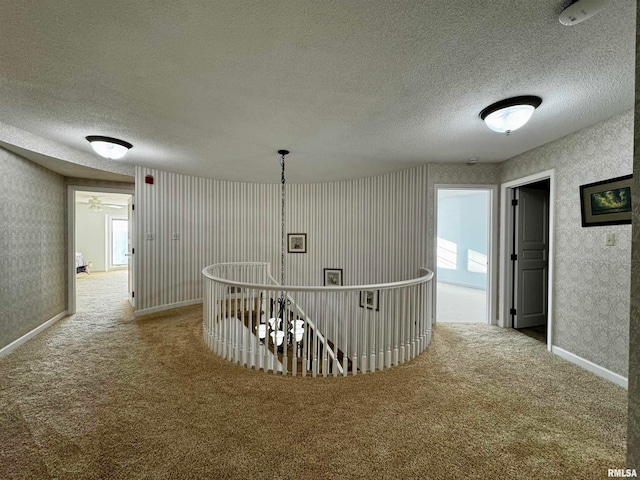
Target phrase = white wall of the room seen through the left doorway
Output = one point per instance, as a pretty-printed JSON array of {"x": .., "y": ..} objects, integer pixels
[{"x": 91, "y": 235}]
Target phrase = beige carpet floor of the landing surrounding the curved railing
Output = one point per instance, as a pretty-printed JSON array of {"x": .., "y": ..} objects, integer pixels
[{"x": 103, "y": 395}]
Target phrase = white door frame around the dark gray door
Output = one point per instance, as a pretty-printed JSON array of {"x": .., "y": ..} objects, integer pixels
[{"x": 506, "y": 227}]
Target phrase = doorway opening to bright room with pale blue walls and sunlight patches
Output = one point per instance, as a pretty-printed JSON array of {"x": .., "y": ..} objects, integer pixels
[{"x": 464, "y": 248}]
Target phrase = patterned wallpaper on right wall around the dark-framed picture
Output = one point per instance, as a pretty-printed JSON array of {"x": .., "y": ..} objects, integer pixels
[{"x": 592, "y": 281}]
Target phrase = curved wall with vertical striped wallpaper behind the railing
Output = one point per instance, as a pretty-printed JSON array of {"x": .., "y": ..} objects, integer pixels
[{"x": 373, "y": 228}]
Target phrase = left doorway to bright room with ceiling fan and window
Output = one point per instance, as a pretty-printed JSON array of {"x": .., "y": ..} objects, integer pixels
[{"x": 100, "y": 246}]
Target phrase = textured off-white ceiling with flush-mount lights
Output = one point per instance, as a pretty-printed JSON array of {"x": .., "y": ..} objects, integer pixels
[{"x": 352, "y": 88}]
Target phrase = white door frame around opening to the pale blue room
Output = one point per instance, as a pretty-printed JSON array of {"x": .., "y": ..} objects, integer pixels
[{"x": 492, "y": 250}]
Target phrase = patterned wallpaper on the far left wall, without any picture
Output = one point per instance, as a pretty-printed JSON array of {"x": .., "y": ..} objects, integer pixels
[{"x": 33, "y": 251}]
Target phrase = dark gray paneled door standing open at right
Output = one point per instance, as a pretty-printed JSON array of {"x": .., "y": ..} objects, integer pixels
[{"x": 531, "y": 261}]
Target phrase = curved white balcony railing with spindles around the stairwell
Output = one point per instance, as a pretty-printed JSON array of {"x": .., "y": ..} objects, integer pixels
[{"x": 313, "y": 330}]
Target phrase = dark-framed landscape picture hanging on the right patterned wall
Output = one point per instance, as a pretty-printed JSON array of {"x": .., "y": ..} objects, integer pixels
[{"x": 607, "y": 202}]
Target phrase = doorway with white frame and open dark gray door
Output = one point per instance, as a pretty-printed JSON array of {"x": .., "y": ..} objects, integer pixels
[{"x": 527, "y": 255}]
